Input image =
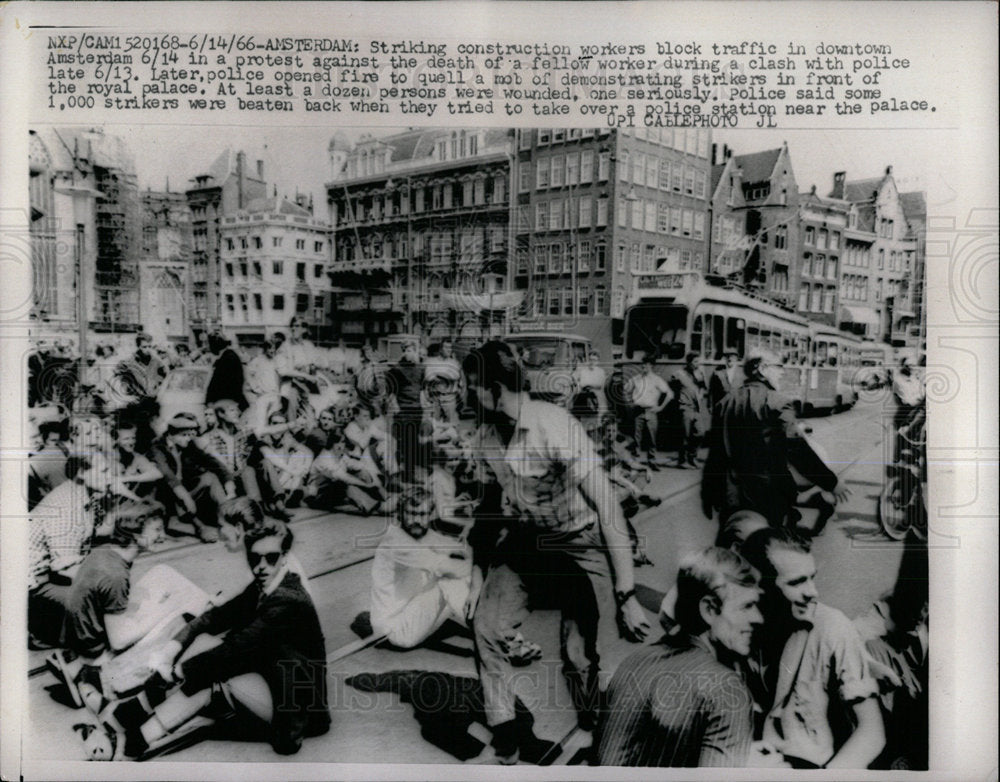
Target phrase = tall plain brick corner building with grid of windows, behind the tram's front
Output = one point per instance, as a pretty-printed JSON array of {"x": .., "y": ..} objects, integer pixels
[{"x": 594, "y": 208}]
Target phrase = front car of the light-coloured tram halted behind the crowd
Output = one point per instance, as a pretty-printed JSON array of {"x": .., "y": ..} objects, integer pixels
[{"x": 672, "y": 314}]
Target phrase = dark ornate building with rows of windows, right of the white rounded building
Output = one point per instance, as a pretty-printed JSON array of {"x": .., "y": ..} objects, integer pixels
[{"x": 421, "y": 234}]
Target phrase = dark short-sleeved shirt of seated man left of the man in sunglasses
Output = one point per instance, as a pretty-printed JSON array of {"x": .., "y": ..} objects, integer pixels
[{"x": 101, "y": 587}]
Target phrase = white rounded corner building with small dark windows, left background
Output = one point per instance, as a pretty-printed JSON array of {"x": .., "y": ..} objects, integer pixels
[{"x": 274, "y": 261}]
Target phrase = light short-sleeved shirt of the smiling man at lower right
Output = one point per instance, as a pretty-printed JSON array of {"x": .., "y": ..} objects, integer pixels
[{"x": 819, "y": 663}]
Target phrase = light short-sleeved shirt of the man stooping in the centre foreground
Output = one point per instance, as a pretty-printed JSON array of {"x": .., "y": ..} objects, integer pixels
[{"x": 541, "y": 469}]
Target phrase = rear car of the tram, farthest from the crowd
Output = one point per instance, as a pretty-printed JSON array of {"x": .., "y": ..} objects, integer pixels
[{"x": 834, "y": 359}]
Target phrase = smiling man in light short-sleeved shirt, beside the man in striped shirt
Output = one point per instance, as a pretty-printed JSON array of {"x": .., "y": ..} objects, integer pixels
[{"x": 811, "y": 669}]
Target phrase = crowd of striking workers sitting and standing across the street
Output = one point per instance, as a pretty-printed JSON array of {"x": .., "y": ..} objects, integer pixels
[{"x": 500, "y": 503}]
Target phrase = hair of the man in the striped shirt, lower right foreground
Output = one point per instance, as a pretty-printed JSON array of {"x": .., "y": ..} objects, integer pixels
[{"x": 707, "y": 574}]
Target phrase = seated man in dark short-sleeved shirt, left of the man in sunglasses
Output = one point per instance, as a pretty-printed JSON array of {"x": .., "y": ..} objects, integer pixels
[{"x": 97, "y": 616}]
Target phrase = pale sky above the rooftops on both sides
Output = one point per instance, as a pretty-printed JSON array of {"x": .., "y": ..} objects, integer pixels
[{"x": 296, "y": 159}]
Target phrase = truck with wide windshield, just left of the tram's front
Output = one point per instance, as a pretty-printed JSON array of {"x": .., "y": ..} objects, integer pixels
[{"x": 549, "y": 359}]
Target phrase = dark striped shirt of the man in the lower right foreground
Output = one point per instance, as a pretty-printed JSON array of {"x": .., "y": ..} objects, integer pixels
[{"x": 673, "y": 705}]
